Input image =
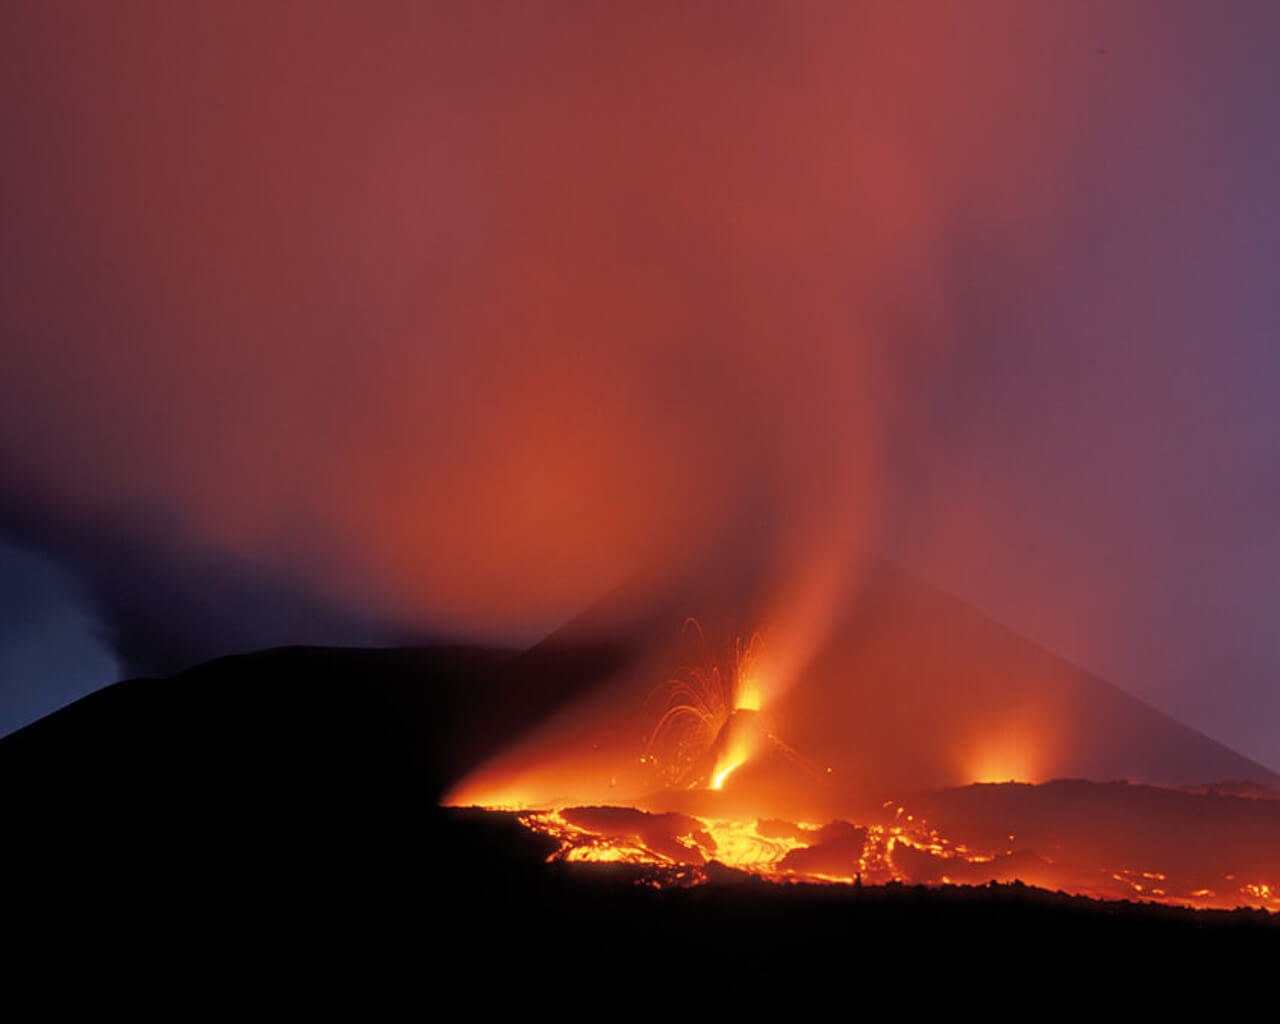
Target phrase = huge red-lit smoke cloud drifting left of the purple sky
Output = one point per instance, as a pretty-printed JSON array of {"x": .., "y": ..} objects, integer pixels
[{"x": 461, "y": 317}]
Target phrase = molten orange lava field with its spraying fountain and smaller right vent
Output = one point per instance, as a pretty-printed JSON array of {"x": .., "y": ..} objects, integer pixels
[{"x": 724, "y": 788}]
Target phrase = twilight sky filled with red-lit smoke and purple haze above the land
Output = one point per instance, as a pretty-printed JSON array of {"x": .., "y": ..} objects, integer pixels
[{"x": 351, "y": 323}]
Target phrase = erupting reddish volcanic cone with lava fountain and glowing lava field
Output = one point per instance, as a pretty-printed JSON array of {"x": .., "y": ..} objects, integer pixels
[{"x": 922, "y": 744}]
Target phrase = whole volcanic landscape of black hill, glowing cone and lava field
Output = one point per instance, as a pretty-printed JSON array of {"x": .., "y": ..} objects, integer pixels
[{"x": 290, "y": 803}]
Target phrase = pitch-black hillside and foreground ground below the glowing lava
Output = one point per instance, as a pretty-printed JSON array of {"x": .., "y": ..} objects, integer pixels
[{"x": 266, "y": 819}]
